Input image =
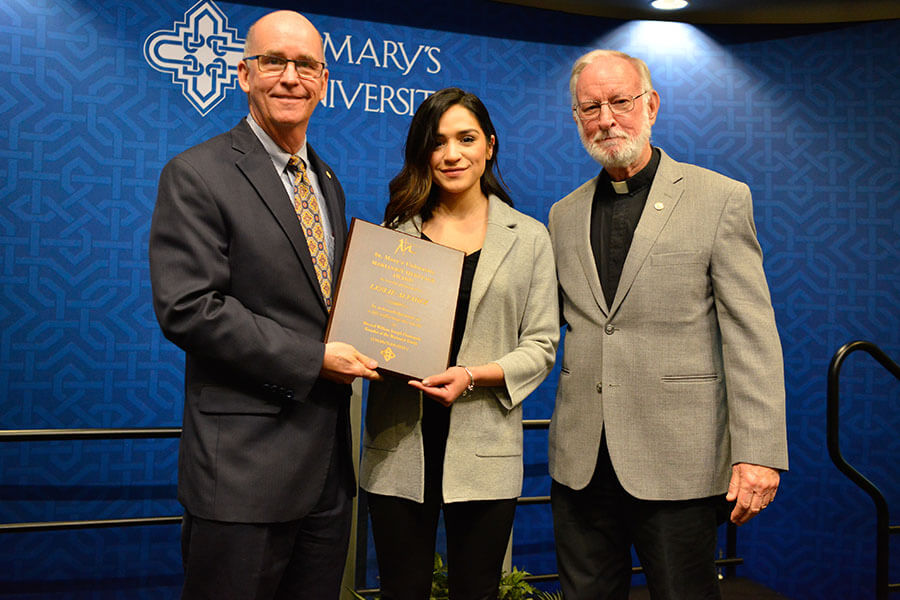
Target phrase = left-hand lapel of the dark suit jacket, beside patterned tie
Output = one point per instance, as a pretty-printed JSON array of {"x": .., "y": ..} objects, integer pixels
[{"x": 257, "y": 167}]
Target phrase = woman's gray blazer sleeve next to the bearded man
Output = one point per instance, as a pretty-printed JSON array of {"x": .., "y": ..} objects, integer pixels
[{"x": 526, "y": 366}]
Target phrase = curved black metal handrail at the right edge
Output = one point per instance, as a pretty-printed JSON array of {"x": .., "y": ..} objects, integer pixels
[{"x": 883, "y": 528}]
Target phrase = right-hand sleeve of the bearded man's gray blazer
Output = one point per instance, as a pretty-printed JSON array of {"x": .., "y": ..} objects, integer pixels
[{"x": 751, "y": 349}]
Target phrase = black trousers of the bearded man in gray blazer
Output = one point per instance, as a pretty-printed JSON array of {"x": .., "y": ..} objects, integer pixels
[{"x": 596, "y": 527}]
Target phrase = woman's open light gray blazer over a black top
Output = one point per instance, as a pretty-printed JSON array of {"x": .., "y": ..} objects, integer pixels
[{"x": 513, "y": 321}]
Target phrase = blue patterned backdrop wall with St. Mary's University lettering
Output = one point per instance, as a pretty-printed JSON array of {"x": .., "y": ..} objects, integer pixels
[{"x": 809, "y": 118}]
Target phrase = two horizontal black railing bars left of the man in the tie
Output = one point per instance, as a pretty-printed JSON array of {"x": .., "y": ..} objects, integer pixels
[{"x": 46, "y": 435}]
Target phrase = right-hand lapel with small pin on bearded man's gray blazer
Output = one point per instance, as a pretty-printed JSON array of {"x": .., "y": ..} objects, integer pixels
[{"x": 665, "y": 192}]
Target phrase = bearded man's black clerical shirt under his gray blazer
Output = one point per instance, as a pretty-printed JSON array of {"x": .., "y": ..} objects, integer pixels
[{"x": 614, "y": 217}]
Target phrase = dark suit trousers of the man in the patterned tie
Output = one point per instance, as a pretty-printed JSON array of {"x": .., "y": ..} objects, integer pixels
[{"x": 272, "y": 561}]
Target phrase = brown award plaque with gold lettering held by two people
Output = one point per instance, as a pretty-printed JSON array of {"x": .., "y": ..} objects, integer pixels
[{"x": 395, "y": 300}]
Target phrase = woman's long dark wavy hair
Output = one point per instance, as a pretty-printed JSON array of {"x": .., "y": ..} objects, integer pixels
[{"x": 411, "y": 191}]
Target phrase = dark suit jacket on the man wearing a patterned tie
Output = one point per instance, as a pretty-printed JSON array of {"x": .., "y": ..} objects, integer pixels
[{"x": 234, "y": 287}]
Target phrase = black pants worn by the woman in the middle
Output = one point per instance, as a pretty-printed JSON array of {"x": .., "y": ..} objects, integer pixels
[{"x": 405, "y": 532}]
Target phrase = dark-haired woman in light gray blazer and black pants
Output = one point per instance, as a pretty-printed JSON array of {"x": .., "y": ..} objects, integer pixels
[{"x": 454, "y": 439}]
